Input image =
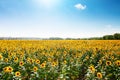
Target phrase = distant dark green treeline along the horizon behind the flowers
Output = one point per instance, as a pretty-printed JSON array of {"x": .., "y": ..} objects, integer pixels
[{"x": 115, "y": 36}]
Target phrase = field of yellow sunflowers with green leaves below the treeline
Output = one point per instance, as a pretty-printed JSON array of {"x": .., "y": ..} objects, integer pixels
[{"x": 59, "y": 59}]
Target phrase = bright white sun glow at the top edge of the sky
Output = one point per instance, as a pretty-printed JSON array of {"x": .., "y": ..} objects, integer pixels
[{"x": 47, "y": 3}]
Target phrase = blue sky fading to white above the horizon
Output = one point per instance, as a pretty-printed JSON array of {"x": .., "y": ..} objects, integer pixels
[{"x": 59, "y": 18}]
